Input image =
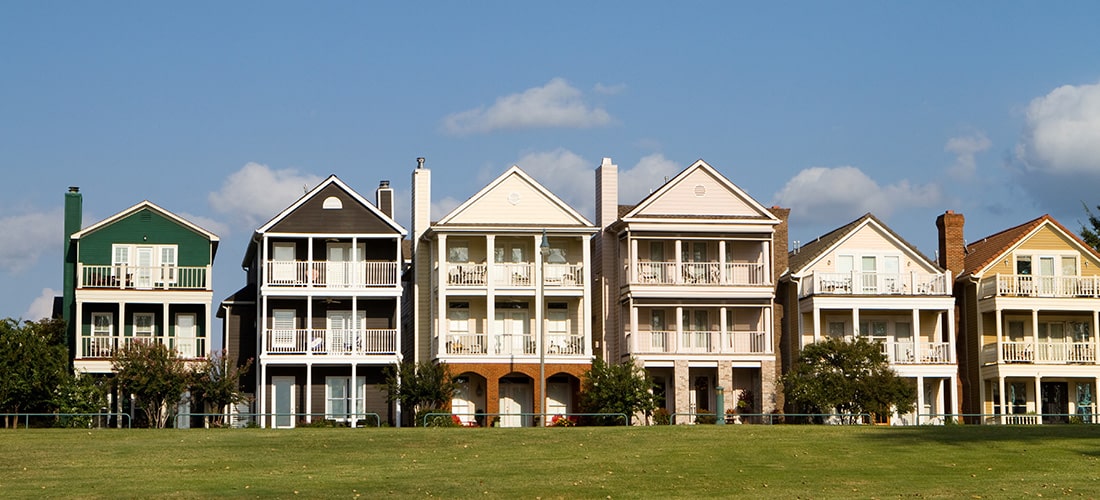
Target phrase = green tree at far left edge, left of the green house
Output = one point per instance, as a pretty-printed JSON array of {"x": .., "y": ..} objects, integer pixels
[{"x": 35, "y": 363}]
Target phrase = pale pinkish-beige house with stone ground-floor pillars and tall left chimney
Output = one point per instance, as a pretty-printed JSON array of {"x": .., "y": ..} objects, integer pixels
[{"x": 686, "y": 285}]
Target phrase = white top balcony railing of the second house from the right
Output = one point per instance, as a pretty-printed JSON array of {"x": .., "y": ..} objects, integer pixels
[{"x": 876, "y": 284}]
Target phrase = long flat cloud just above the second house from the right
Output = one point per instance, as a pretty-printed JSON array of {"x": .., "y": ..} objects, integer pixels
[{"x": 828, "y": 195}]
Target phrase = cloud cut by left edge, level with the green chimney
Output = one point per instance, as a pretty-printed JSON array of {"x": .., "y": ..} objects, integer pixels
[{"x": 27, "y": 237}]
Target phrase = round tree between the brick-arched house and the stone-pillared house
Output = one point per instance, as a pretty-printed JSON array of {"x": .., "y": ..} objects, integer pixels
[{"x": 622, "y": 388}]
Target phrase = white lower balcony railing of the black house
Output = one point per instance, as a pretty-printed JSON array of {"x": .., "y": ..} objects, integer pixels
[{"x": 331, "y": 342}]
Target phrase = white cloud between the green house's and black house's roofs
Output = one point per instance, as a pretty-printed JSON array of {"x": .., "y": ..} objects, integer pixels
[{"x": 256, "y": 194}]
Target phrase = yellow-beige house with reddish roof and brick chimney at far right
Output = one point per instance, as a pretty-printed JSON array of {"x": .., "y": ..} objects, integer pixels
[{"x": 1030, "y": 312}]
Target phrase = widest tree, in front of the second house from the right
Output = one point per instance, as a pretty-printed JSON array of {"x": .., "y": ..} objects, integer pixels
[{"x": 849, "y": 379}]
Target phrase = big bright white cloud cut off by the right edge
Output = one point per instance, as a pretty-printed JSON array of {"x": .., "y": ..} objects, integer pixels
[{"x": 1063, "y": 131}]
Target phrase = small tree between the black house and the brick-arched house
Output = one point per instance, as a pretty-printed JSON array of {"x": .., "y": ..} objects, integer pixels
[{"x": 422, "y": 388}]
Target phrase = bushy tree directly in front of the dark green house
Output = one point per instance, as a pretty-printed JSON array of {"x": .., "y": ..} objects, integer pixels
[{"x": 156, "y": 375}]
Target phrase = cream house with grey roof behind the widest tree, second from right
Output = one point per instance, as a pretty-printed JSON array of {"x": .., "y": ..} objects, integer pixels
[{"x": 864, "y": 281}]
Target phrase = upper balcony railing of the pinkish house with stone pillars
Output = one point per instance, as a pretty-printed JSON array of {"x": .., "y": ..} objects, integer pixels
[{"x": 700, "y": 274}]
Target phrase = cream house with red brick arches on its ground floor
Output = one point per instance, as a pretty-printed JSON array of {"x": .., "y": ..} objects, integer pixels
[{"x": 502, "y": 295}]
